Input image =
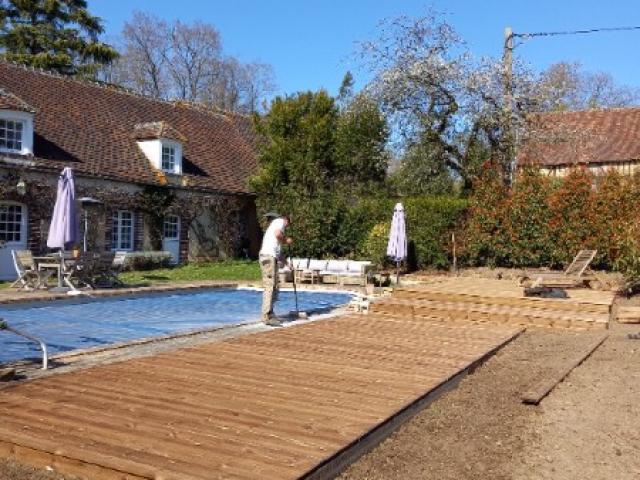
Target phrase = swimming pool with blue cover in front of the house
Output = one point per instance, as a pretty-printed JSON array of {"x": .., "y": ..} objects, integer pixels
[{"x": 70, "y": 325}]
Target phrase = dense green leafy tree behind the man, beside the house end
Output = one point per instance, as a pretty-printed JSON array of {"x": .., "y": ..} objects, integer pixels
[{"x": 312, "y": 160}]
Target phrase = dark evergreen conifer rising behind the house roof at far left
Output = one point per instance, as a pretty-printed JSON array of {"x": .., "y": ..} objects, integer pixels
[{"x": 56, "y": 35}]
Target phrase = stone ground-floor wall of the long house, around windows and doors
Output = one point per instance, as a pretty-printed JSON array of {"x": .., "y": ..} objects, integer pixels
[{"x": 212, "y": 226}]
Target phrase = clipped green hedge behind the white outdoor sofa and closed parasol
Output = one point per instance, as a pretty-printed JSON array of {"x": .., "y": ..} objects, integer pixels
[{"x": 338, "y": 226}]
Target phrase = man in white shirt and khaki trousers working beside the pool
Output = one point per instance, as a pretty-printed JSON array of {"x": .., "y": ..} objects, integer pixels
[{"x": 269, "y": 253}]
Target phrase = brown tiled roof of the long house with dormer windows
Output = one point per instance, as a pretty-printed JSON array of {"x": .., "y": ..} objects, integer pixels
[{"x": 90, "y": 128}]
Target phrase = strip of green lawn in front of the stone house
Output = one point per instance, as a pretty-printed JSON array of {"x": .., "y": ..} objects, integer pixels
[{"x": 231, "y": 270}]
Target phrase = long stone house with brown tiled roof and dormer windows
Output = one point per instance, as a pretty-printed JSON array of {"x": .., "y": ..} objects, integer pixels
[{"x": 160, "y": 175}]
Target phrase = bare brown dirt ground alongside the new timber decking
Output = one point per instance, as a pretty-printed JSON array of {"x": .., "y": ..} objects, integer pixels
[{"x": 586, "y": 428}]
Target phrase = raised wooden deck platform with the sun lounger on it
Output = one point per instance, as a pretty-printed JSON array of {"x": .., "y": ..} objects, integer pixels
[{"x": 487, "y": 301}]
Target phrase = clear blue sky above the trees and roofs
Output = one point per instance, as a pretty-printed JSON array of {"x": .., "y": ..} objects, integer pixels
[{"x": 310, "y": 43}]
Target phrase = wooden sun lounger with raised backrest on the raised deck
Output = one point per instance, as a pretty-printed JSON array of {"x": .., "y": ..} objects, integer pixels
[{"x": 576, "y": 275}]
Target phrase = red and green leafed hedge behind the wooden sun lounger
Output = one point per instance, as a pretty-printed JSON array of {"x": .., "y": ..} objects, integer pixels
[{"x": 545, "y": 221}]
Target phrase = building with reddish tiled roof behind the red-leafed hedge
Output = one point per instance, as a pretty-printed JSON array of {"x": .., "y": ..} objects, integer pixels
[{"x": 598, "y": 139}]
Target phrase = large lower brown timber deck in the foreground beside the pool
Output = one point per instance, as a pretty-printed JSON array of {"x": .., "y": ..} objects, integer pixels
[{"x": 282, "y": 404}]
